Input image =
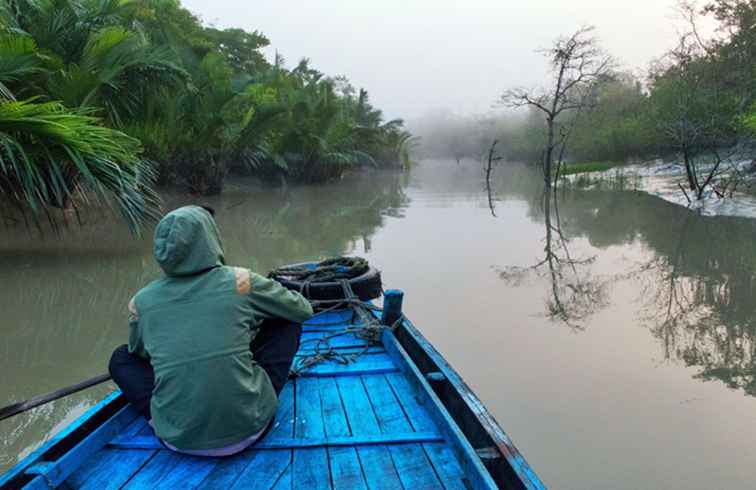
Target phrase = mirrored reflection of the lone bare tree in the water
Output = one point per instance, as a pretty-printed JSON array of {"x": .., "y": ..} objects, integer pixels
[{"x": 574, "y": 292}]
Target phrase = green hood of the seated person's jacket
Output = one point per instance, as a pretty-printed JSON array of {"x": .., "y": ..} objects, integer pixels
[{"x": 187, "y": 242}]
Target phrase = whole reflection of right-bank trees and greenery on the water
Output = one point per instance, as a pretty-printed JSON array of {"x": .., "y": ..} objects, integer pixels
[{"x": 696, "y": 290}]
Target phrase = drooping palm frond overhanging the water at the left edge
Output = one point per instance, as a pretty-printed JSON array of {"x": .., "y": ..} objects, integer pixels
[{"x": 53, "y": 157}]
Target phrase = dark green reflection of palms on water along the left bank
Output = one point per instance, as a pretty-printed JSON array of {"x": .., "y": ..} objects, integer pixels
[{"x": 63, "y": 297}]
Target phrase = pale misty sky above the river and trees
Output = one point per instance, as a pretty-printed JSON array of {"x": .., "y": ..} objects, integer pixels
[{"x": 419, "y": 56}]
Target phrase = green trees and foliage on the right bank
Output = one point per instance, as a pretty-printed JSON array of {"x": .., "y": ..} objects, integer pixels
[{"x": 698, "y": 98}]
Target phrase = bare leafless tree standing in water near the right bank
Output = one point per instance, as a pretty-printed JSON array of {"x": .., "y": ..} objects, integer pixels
[{"x": 577, "y": 63}]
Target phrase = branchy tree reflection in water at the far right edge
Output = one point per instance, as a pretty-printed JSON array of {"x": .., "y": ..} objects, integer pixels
[{"x": 699, "y": 302}]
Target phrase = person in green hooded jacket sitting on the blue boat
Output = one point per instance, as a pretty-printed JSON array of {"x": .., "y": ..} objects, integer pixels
[{"x": 210, "y": 346}]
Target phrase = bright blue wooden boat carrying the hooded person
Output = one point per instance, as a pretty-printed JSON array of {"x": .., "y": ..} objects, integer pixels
[{"x": 398, "y": 416}]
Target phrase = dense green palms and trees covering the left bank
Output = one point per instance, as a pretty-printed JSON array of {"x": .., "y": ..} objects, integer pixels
[{"x": 101, "y": 99}]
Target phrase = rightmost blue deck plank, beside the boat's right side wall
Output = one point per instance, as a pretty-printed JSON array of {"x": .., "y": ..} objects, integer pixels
[{"x": 441, "y": 456}]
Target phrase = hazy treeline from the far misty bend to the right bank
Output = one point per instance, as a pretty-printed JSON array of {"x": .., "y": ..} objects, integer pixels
[{"x": 697, "y": 98}]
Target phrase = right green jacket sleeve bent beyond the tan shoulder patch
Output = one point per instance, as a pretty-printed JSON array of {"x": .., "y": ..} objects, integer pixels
[{"x": 275, "y": 301}]
